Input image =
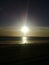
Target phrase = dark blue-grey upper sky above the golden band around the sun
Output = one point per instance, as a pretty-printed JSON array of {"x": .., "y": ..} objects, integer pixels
[{"x": 14, "y": 12}]
